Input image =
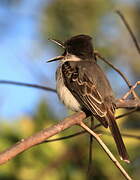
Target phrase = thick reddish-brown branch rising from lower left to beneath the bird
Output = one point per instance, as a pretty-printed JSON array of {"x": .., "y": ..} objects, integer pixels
[{"x": 41, "y": 136}]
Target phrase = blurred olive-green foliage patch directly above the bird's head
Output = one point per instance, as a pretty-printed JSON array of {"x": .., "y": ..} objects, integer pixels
[{"x": 66, "y": 18}]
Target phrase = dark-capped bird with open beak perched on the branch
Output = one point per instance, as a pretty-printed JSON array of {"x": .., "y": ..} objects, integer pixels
[{"x": 83, "y": 86}]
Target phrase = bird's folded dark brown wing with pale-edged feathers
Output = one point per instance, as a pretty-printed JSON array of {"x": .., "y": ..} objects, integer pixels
[{"x": 84, "y": 89}]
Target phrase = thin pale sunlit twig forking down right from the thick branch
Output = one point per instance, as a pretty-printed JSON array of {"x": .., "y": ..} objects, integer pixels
[{"x": 107, "y": 151}]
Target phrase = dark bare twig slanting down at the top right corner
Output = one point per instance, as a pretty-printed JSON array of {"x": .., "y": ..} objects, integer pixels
[{"x": 129, "y": 30}]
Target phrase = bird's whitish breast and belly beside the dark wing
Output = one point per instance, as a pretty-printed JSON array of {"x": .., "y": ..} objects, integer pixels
[{"x": 64, "y": 94}]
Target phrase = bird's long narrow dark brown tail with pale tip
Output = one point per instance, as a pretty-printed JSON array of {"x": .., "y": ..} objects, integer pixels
[{"x": 117, "y": 137}]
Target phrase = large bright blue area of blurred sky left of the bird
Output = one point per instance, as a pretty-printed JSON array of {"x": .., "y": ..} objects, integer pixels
[{"x": 17, "y": 60}]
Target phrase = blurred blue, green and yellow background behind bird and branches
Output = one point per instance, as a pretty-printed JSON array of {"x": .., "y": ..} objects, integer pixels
[{"x": 25, "y": 27}]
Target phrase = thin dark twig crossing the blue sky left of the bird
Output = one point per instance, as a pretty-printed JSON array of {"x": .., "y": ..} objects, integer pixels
[{"x": 27, "y": 85}]
